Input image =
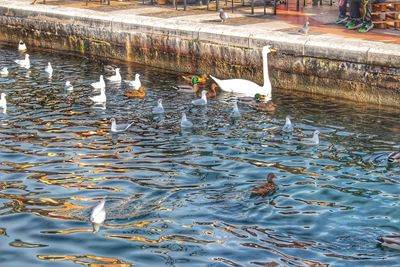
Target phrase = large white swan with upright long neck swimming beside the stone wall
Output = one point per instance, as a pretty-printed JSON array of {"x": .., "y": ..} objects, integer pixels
[{"x": 249, "y": 88}]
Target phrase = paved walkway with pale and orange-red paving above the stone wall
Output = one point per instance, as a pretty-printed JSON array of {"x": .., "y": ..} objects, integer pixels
[{"x": 321, "y": 18}]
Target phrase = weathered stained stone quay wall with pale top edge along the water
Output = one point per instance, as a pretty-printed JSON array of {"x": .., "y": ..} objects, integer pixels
[{"x": 344, "y": 68}]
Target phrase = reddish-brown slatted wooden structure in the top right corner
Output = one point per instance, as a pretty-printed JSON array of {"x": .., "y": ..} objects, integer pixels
[{"x": 386, "y": 14}]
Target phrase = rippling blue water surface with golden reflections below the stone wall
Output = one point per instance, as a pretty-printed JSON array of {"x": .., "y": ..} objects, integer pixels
[{"x": 184, "y": 198}]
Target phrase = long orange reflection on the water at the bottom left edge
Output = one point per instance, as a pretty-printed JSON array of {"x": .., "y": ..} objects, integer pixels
[{"x": 87, "y": 260}]
